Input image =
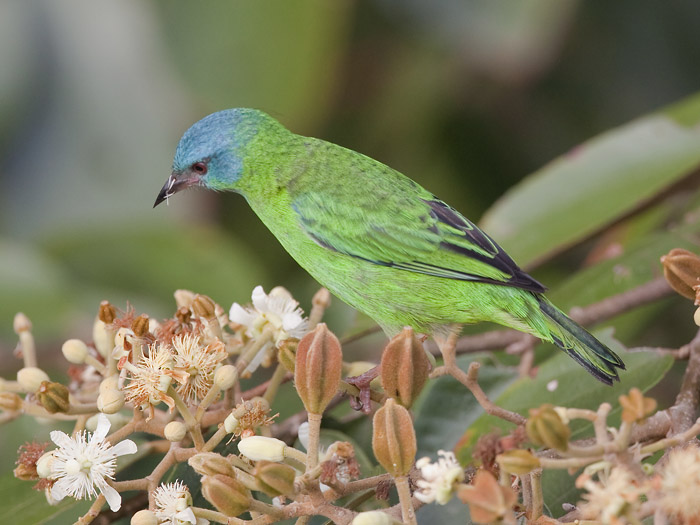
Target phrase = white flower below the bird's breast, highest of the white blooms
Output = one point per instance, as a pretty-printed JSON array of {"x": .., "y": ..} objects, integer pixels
[{"x": 277, "y": 311}]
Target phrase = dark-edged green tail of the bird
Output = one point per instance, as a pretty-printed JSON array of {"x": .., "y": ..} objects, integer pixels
[{"x": 576, "y": 341}]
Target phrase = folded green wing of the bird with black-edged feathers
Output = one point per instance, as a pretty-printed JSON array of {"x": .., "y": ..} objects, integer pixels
[{"x": 406, "y": 227}]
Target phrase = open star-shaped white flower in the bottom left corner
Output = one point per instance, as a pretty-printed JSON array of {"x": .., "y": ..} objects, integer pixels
[{"x": 82, "y": 463}]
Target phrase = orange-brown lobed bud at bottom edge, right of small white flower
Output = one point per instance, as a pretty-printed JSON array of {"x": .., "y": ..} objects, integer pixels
[{"x": 488, "y": 501}]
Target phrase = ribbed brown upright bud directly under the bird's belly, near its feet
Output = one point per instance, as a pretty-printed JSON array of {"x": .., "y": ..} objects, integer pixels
[{"x": 405, "y": 367}]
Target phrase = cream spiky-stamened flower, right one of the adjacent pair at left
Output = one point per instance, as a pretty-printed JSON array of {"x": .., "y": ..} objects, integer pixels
[{"x": 199, "y": 362}]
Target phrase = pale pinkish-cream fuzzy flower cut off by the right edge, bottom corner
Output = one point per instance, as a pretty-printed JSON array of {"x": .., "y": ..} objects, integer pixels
[{"x": 680, "y": 485}]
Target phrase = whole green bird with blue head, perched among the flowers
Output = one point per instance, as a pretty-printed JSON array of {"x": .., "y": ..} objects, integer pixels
[{"x": 372, "y": 236}]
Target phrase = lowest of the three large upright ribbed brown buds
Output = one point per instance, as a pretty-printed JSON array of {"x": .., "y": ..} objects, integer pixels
[{"x": 394, "y": 439}]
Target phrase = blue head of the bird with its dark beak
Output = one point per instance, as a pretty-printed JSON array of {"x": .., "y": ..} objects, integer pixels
[{"x": 211, "y": 152}]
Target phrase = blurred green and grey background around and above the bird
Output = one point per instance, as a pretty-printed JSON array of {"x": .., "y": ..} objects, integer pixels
[{"x": 466, "y": 97}]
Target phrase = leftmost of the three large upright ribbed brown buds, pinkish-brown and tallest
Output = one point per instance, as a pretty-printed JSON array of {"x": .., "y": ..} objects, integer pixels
[{"x": 319, "y": 363}]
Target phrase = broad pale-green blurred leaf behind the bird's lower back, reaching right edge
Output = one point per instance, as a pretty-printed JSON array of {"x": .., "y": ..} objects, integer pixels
[{"x": 596, "y": 183}]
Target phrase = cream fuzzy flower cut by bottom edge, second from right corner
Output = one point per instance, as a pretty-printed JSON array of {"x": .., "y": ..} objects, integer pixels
[{"x": 616, "y": 497}]
